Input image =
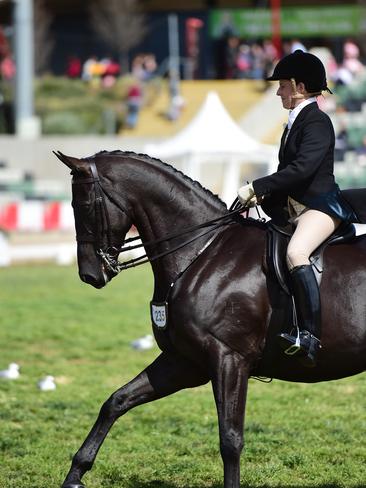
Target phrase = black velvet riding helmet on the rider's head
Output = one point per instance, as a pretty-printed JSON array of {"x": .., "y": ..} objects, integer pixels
[{"x": 304, "y": 67}]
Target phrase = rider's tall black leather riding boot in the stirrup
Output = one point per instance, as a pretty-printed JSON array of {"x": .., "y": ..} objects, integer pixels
[{"x": 307, "y": 302}]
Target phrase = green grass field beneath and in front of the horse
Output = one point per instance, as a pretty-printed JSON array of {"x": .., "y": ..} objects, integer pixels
[{"x": 296, "y": 435}]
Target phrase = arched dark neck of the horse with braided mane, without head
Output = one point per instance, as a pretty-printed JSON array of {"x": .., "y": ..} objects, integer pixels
[{"x": 165, "y": 202}]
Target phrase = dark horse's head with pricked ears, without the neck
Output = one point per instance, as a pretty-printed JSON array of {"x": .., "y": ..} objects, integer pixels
[{"x": 101, "y": 221}]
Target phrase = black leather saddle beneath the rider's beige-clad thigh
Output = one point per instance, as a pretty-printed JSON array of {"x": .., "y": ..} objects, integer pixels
[{"x": 277, "y": 241}]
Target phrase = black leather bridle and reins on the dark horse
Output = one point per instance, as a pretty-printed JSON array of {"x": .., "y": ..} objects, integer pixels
[{"x": 109, "y": 254}]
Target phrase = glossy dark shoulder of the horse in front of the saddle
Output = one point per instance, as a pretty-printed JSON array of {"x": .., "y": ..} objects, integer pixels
[{"x": 224, "y": 293}]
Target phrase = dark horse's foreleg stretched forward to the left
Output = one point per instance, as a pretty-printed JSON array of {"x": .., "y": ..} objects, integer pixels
[{"x": 164, "y": 376}]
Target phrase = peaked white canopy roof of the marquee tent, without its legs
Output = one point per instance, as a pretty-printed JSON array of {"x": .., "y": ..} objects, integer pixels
[{"x": 211, "y": 131}]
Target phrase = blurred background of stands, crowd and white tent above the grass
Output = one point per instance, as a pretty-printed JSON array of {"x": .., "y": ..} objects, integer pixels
[{"x": 184, "y": 84}]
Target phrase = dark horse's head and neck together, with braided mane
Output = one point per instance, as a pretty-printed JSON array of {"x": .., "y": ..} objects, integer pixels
[{"x": 113, "y": 190}]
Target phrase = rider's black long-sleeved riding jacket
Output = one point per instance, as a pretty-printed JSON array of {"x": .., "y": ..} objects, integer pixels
[{"x": 306, "y": 169}]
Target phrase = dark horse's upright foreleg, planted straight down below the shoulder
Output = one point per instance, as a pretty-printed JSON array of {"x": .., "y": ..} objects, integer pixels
[{"x": 230, "y": 383}]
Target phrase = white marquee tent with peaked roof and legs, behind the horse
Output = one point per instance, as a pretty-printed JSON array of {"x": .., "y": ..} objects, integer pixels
[{"x": 213, "y": 135}]
